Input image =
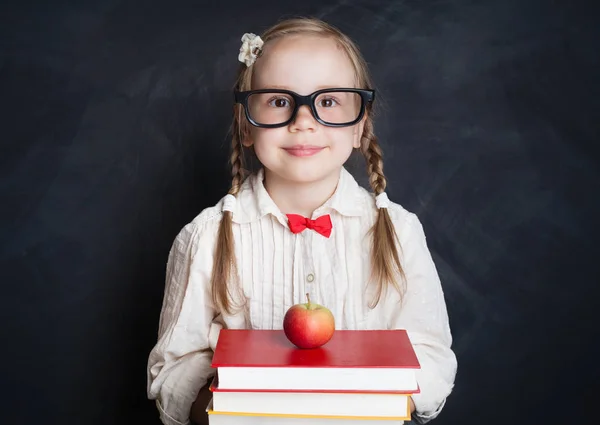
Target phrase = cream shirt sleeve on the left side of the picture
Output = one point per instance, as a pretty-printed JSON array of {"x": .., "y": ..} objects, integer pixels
[{"x": 180, "y": 362}]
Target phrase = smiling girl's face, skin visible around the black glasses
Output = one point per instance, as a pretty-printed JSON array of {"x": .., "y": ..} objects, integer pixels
[{"x": 304, "y": 151}]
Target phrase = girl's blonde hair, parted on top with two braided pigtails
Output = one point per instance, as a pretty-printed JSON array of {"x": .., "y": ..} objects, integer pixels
[{"x": 386, "y": 266}]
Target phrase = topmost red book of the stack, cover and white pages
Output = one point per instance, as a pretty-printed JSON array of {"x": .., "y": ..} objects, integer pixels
[{"x": 353, "y": 360}]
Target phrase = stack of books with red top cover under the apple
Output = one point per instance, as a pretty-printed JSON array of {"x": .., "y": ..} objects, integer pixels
[{"x": 358, "y": 377}]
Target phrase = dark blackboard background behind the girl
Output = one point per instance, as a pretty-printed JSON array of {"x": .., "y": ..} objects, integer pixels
[{"x": 114, "y": 118}]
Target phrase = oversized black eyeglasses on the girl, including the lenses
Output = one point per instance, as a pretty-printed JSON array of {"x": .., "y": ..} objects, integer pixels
[{"x": 336, "y": 107}]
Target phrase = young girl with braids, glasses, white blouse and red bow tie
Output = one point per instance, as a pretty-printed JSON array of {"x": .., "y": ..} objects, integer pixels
[{"x": 301, "y": 224}]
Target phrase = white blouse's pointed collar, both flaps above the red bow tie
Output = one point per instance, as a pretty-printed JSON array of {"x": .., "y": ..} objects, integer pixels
[{"x": 254, "y": 202}]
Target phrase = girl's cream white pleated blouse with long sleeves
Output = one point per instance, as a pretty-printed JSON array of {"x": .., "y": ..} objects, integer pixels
[{"x": 276, "y": 269}]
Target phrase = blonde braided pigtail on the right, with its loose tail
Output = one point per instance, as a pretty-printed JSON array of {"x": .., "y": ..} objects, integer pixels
[{"x": 387, "y": 268}]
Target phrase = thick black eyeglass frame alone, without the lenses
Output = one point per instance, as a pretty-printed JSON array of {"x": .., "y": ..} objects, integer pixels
[{"x": 367, "y": 96}]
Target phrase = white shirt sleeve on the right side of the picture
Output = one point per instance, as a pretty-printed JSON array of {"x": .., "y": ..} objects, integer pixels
[{"x": 424, "y": 315}]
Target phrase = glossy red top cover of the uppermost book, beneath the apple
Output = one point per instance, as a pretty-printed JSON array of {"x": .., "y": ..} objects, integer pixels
[{"x": 346, "y": 349}]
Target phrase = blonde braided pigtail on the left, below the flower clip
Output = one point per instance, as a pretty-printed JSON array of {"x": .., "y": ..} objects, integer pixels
[{"x": 224, "y": 264}]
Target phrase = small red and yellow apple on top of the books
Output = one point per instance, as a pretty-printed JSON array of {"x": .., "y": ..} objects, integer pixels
[{"x": 308, "y": 325}]
